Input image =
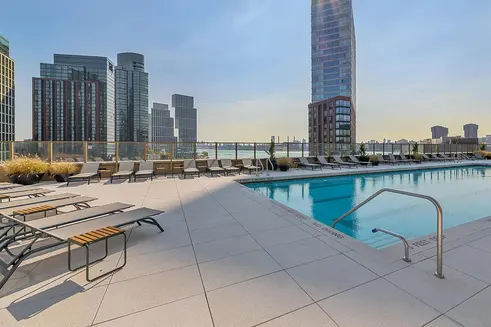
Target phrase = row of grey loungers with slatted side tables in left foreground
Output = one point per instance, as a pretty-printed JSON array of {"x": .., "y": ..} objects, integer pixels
[{"x": 83, "y": 227}]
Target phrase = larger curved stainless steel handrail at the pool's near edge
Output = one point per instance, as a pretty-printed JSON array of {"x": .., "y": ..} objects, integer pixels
[{"x": 439, "y": 223}]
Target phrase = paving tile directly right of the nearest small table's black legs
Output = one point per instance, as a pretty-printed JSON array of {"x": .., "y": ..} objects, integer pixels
[{"x": 155, "y": 262}]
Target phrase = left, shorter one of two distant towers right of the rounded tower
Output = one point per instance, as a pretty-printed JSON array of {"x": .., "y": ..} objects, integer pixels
[{"x": 162, "y": 124}]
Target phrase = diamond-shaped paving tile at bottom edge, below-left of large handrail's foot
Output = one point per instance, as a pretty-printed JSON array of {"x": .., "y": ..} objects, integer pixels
[{"x": 377, "y": 304}]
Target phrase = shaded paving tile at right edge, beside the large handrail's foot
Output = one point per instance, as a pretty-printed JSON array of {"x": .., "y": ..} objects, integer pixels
[{"x": 469, "y": 260}]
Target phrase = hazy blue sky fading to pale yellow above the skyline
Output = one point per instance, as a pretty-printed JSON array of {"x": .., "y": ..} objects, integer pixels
[{"x": 247, "y": 62}]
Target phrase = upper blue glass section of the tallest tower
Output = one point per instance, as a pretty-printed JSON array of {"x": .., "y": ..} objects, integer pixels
[{"x": 333, "y": 50}]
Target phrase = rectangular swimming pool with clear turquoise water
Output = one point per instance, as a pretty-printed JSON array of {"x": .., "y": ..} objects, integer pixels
[{"x": 463, "y": 192}]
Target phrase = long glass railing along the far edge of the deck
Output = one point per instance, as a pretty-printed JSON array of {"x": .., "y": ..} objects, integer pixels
[{"x": 75, "y": 151}]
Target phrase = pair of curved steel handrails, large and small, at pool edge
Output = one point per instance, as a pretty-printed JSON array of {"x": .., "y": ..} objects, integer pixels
[{"x": 439, "y": 225}]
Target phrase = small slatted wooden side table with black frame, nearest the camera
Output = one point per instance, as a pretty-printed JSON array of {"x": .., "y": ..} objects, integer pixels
[{"x": 89, "y": 238}]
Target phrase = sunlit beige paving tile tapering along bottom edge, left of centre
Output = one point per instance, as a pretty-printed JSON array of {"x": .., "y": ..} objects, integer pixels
[{"x": 192, "y": 311}]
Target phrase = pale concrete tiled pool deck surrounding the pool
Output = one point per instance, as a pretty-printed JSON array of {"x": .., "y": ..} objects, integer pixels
[{"x": 232, "y": 257}]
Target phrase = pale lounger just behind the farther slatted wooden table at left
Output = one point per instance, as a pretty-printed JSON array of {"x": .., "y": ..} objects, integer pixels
[{"x": 79, "y": 202}]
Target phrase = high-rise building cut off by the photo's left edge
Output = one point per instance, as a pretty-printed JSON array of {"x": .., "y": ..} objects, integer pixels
[{"x": 7, "y": 98}]
